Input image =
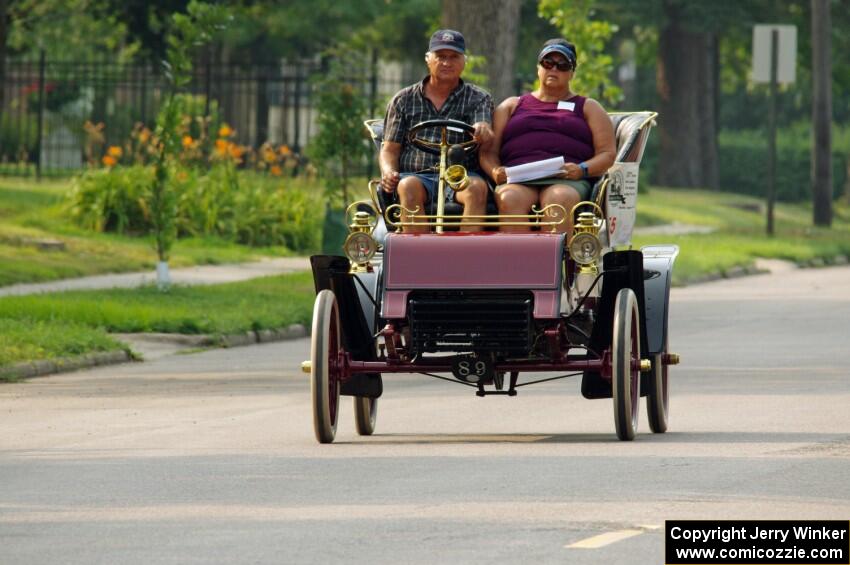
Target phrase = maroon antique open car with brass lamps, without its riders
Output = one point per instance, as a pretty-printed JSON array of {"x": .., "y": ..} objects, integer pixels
[{"x": 491, "y": 307}]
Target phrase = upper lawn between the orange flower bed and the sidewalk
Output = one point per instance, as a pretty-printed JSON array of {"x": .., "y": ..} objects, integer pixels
[{"x": 31, "y": 212}]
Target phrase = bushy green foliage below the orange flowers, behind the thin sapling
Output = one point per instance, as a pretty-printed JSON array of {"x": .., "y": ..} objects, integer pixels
[{"x": 242, "y": 206}]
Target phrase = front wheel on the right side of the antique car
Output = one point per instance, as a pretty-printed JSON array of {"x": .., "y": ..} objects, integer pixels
[{"x": 625, "y": 359}]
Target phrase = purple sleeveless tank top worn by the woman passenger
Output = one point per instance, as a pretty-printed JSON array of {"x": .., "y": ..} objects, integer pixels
[{"x": 539, "y": 130}]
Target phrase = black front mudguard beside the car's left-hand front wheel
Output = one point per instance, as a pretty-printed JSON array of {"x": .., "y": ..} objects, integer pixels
[{"x": 331, "y": 272}]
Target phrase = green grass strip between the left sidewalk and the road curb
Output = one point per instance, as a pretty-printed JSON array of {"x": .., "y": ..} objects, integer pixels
[{"x": 71, "y": 323}]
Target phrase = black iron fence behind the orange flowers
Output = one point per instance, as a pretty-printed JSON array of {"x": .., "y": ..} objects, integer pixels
[{"x": 45, "y": 105}]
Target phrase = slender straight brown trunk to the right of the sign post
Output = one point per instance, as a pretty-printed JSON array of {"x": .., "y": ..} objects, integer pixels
[{"x": 821, "y": 113}]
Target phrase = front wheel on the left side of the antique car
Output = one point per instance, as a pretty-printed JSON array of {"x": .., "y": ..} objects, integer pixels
[{"x": 325, "y": 351}]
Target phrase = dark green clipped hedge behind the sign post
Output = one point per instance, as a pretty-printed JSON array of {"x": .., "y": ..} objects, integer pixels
[{"x": 744, "y": 160}]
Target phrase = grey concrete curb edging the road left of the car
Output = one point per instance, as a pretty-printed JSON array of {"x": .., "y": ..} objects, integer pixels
[{"x": 46, "y": 367}]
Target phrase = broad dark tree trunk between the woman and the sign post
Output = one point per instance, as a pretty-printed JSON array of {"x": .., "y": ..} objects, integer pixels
[{"x": 687, "y": 84}]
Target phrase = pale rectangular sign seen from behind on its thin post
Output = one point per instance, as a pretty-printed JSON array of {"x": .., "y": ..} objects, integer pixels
[{"x": 774, "y": 61}]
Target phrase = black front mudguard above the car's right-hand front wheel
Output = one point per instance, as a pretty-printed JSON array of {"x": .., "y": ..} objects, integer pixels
[{"x": 623, "y": 269}]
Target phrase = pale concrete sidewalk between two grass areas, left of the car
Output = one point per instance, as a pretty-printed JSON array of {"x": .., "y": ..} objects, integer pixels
[{"x": 207, "y": 274}]
